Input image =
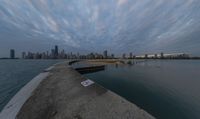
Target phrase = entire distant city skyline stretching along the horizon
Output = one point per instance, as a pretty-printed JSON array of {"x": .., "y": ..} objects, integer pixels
[{"x": 56, "y": 53}]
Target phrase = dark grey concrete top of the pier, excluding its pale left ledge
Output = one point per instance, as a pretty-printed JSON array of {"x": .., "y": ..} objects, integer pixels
[{"x": 61, "y": 96}]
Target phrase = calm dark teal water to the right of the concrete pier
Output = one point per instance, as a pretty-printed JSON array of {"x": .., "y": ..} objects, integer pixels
[{"x": 168, "y": 89}]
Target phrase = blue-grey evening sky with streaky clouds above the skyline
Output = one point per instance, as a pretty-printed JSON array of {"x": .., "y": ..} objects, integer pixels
[{"x": 119, "y": 26}]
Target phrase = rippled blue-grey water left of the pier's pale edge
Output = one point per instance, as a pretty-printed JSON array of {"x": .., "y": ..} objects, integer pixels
[{"x": 14, "y": 74}]
